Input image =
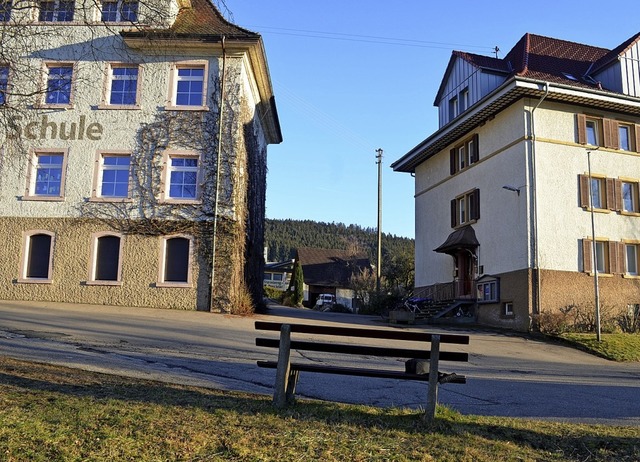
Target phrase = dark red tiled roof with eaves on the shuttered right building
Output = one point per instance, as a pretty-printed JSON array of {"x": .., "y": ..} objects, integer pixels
[{"x": 537, "y": 67}]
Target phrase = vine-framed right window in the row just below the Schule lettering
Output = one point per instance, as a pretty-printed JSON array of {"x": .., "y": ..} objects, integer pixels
[{"x": 181, "y": 182}]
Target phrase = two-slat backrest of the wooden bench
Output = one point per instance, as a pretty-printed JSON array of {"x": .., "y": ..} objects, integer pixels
[{"x": 358, "y": 332}]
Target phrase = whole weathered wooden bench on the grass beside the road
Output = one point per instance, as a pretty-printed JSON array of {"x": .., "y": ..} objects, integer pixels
[{"x": 287, "y": 373}]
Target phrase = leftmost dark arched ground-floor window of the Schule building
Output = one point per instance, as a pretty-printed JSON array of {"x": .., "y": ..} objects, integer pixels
[{"x": 37, "y": 257}]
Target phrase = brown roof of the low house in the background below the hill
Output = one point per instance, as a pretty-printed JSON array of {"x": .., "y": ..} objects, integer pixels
[{"x": 329, "y": 267}]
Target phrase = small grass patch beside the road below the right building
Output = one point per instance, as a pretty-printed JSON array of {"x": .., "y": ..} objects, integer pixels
[{"x": 617, "y": 347}]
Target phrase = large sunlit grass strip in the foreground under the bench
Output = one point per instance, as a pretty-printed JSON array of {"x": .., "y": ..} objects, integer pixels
[{"x": 50, "y": 413}]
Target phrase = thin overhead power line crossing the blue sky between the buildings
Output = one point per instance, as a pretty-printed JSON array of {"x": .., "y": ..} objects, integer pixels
[{"x": 367, "y": 38}]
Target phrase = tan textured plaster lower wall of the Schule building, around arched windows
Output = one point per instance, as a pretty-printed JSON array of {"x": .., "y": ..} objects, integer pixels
[{"x": 71, "y": 262}]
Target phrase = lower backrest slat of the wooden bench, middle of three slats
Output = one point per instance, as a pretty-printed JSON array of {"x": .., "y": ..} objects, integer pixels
[{"x": 364, "y": 350}]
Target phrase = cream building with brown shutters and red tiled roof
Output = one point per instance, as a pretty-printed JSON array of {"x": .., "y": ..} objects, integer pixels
[{"x": 529, "y": 148}]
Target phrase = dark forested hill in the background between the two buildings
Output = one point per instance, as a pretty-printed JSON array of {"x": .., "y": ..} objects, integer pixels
[{"x": 282, "y": 237}]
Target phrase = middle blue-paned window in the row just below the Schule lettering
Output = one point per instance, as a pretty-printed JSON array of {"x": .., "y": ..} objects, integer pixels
[{"x": 113, "y": 176}]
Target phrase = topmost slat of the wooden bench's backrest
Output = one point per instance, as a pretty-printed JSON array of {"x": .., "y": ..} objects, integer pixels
[{"x": 363, "y": 332}]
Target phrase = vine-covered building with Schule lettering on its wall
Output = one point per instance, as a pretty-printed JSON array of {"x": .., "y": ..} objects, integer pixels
[{"x": 133, "y": 154}]
